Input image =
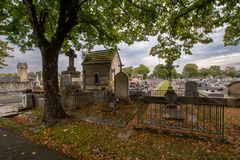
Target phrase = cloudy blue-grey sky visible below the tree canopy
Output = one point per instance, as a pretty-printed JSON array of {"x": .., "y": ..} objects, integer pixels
[{"x": 138, "y": 53}]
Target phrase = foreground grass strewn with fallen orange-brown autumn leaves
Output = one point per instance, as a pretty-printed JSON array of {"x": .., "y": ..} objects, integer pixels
[{"x": 82, "y": 140}]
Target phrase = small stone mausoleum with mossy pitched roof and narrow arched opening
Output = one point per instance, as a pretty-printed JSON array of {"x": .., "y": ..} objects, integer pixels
[{"x": 99, "y": 70}]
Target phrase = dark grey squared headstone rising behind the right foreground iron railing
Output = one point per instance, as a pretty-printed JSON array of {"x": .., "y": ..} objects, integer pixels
[{"x": 191, "y": 89}]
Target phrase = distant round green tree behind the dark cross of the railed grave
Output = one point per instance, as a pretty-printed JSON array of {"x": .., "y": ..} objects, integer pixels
[{"x": 161, "y": 71}]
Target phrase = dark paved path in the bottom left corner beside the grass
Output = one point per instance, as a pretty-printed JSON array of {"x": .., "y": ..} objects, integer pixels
[{"x": 15, "y": 147}]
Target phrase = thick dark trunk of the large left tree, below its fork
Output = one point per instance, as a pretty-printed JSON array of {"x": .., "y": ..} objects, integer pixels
[{"x": 52, "y": 105}]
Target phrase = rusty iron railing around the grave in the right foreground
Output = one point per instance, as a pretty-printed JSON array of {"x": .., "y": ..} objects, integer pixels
[{"x": 198, "y": 117}]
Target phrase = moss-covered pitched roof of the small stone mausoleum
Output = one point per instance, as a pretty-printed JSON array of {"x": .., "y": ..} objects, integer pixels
[{"x": 100, "y": 56}]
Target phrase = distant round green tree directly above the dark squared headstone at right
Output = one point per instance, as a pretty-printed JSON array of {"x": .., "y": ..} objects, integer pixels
[{"x": 190, "y": 70}]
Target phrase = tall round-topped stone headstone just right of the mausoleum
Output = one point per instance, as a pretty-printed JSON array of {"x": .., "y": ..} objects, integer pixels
[{"x": 121, "y": 86}]
